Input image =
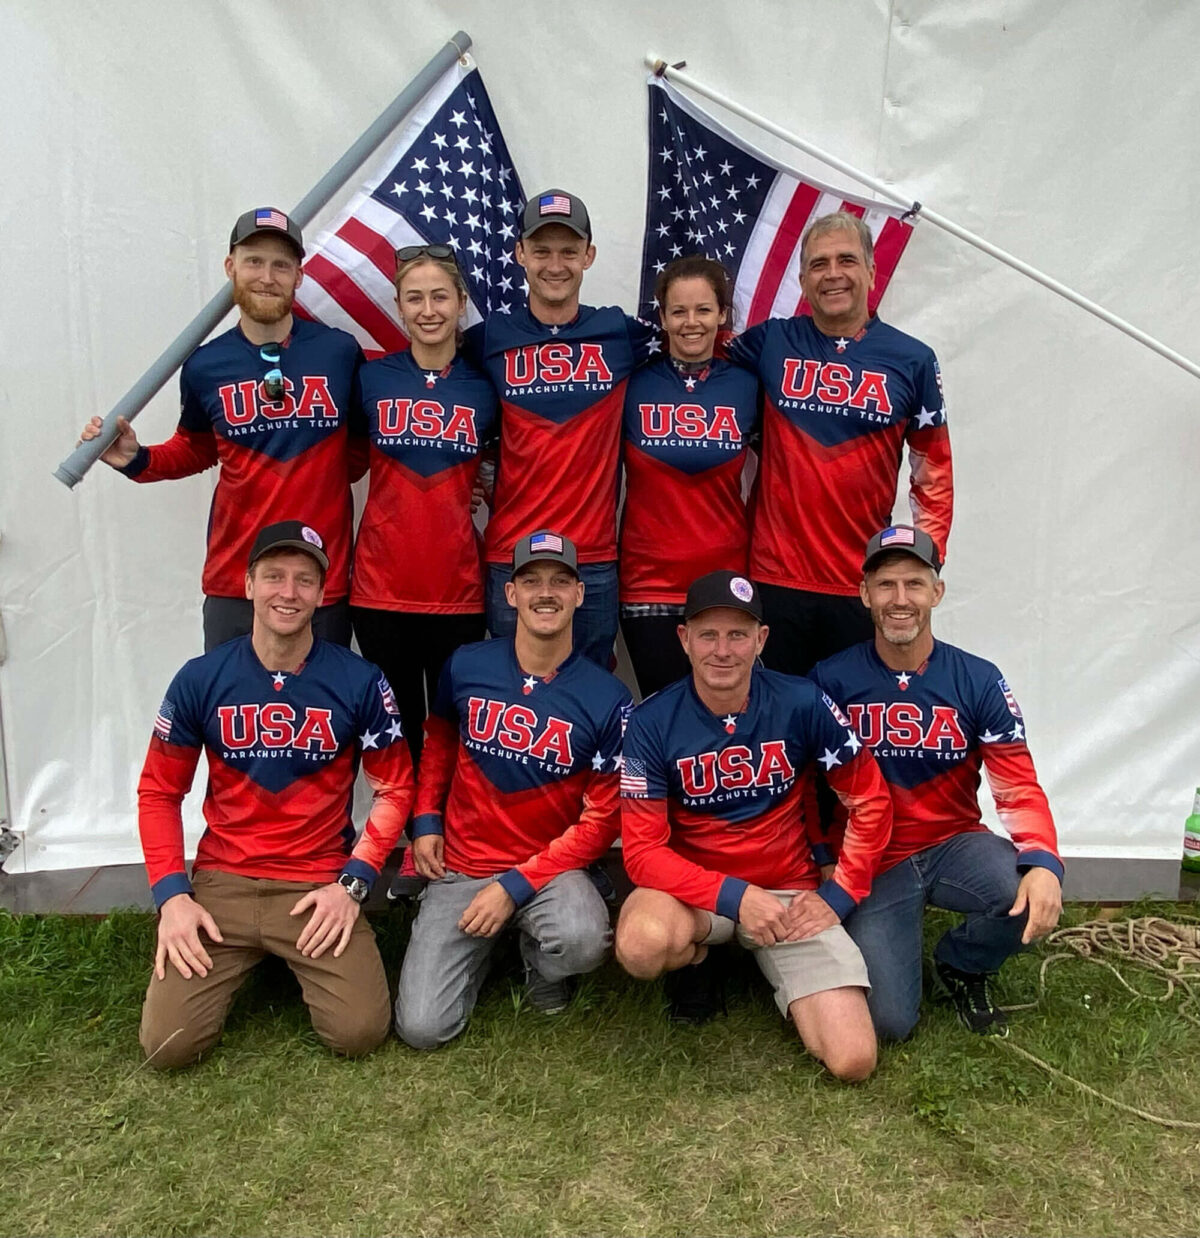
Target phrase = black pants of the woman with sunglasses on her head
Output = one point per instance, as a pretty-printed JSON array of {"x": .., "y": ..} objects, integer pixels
[{"x": 412, "y": 649}]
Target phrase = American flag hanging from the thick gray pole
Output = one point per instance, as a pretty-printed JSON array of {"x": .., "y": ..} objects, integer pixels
[{"x": 449, "y": 180}]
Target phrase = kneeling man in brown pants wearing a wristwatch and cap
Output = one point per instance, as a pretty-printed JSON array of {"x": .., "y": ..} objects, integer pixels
[{"x": 284, "y": 720}]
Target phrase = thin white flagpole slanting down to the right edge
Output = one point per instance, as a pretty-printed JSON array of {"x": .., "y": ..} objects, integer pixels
[{"x": 917, "y": 210}]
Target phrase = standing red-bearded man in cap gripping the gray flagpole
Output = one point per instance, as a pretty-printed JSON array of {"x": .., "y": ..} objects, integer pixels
[{"x": 268, "y": 402}]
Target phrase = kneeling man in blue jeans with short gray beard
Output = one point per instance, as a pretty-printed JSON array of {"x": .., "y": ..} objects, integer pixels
[{"x": 934, "y": 716}]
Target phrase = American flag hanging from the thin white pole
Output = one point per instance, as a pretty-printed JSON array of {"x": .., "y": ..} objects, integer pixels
[{"x": 710, "y": 193}]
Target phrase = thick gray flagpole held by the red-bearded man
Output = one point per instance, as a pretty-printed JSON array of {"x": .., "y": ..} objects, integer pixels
[{"x": 74, "y": 469}]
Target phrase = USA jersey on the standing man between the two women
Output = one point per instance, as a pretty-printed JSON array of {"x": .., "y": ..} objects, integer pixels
[{"x": 562, "y": 391}]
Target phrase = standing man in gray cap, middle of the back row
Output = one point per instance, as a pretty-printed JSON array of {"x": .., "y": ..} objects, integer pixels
[{"x": 560, "y": 371}]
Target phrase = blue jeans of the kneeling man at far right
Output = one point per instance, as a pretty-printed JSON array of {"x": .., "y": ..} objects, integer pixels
[{"x": 975, "y": 873}]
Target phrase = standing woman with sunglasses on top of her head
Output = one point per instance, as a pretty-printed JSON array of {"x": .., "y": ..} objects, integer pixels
[{"x": 418, "y": 587}]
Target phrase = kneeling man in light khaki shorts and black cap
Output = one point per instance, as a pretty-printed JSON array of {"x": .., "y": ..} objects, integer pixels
[{"x": 716, "y": 769}]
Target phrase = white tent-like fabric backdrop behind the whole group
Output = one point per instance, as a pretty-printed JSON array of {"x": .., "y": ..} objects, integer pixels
[{"x": 1067, "y": 133}]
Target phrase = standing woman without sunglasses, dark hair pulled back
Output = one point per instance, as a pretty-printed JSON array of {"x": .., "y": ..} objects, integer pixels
[{"x": 689, "y": 423}]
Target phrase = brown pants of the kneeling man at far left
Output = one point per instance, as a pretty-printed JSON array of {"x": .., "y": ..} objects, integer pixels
[{"x": 347, "y": 997}]
